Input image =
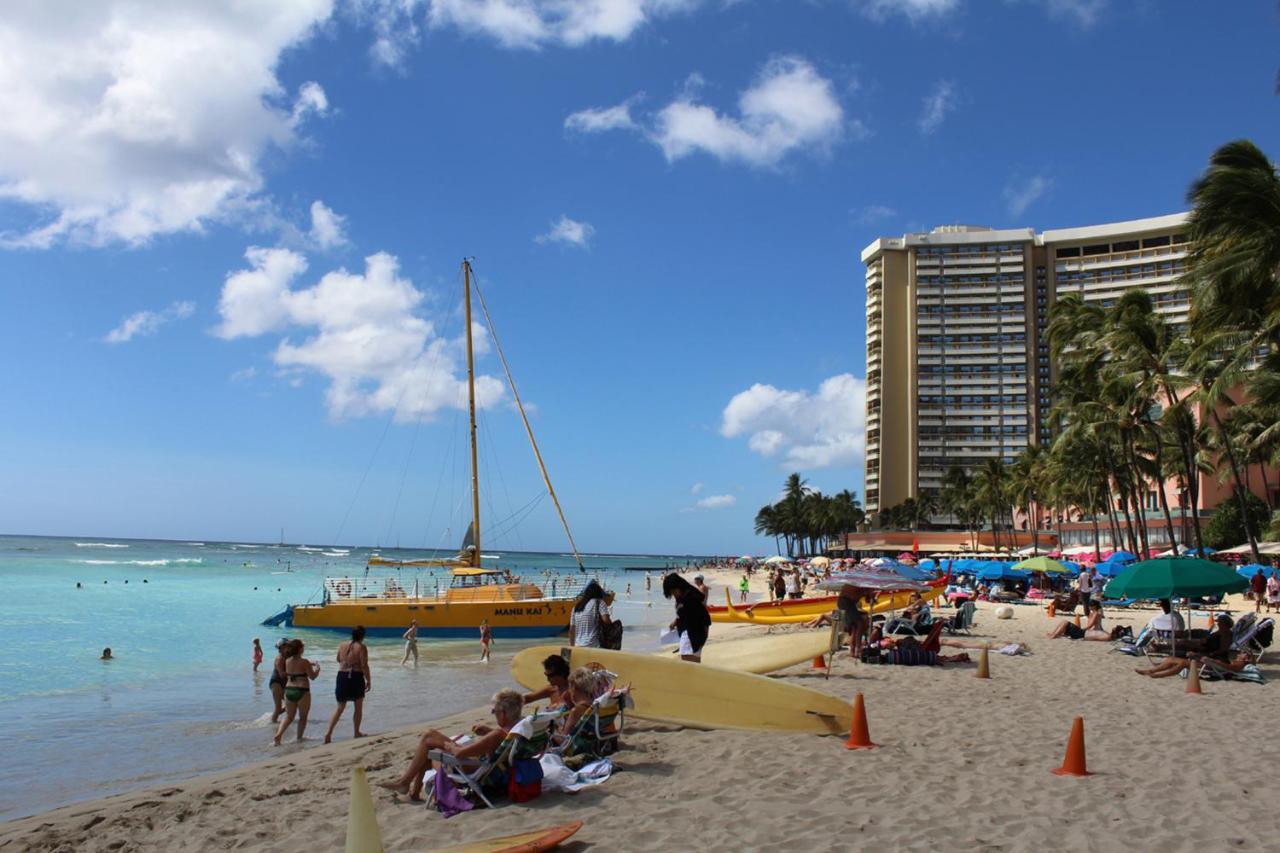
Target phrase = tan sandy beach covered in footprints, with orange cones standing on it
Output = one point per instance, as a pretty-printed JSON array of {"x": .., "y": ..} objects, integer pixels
[{"x": 964, "y": 764}]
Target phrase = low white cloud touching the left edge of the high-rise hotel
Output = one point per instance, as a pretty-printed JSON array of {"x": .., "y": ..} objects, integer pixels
[{"x": 810, "y": 431}]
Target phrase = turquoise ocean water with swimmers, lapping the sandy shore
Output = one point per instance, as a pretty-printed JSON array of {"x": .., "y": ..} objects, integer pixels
[{"x": 181, "y": 697}]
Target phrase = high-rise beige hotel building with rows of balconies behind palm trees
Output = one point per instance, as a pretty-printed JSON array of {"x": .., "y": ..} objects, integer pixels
[{"x": 958, "y": 358}]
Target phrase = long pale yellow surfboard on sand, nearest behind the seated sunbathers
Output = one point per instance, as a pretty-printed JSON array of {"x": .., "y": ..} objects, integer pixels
[{"x": 701, "y": 696}]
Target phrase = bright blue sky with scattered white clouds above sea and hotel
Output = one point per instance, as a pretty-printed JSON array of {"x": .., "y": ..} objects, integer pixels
[{"x": 231, "y": 240}]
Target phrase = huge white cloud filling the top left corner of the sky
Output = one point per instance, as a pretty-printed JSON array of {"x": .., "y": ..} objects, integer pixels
[{"x": 131, "y": 120}]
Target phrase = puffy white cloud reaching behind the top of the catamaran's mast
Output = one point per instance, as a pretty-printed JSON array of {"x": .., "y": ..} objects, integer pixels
[{"x": 367, "y": 336}]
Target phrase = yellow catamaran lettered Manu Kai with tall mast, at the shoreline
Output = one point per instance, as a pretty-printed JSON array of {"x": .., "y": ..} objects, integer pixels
[{"x": 476, "y": 594}]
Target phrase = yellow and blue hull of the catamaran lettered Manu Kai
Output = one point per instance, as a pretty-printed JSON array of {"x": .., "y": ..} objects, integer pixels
[{"x": 436, "y": 619}]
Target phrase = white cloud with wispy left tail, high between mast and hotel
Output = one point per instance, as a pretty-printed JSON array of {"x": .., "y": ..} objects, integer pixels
[{"x": 789, "y": 108}]
